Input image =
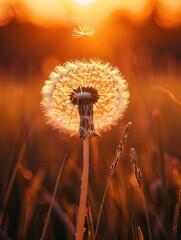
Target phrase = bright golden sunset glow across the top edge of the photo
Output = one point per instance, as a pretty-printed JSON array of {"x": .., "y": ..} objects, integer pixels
[{"x": 48, "y": 12}]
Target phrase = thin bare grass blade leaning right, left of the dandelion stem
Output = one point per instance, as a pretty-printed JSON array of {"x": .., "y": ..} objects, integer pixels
[{"x": 53, "y": 199}]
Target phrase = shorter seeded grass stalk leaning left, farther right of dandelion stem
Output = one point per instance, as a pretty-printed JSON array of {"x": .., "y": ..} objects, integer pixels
[{"x": 138, "y": 176}]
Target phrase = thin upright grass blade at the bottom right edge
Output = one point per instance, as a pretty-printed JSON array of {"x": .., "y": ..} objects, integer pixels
[{"x": 176, "y": 216}]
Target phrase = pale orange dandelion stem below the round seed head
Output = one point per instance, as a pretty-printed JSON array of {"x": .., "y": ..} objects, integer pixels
[{"x": 84, "y": 190}]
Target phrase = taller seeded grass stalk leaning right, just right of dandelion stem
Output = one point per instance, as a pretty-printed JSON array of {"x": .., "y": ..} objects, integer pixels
[{"x": 113, "y": 168}]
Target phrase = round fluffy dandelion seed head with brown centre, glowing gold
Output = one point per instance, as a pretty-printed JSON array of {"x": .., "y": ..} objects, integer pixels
[{"x": 91, "y": 91}]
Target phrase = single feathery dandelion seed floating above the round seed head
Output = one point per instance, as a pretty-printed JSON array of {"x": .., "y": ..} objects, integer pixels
[{"x": 83, "y": 31}]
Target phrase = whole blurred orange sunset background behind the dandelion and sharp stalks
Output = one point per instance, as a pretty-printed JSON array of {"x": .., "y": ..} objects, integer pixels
[{"x": 142, "y": 38}]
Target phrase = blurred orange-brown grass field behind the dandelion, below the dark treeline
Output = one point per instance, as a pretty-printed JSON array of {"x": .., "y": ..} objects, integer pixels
[{"x": 32, "y": 154}]
